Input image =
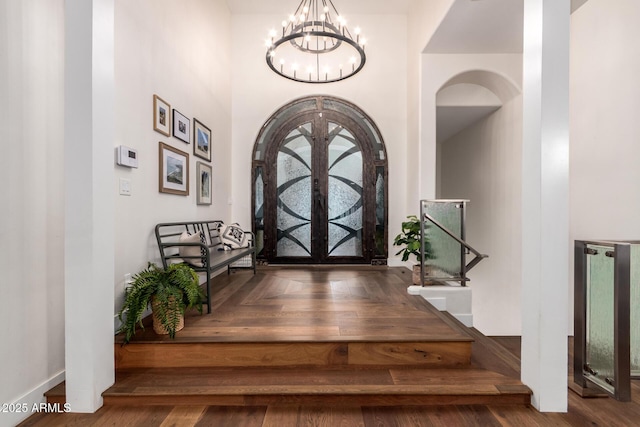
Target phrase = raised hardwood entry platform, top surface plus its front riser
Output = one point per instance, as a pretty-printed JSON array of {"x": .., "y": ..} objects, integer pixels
[{"x": 313, "y": 316}]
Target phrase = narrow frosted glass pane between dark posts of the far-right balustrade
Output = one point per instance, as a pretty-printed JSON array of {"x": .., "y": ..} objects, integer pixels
[{"x": 600, "y": 317}]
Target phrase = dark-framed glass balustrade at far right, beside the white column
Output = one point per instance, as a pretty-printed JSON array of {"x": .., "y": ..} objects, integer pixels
[{"x": 607, "y": 294}]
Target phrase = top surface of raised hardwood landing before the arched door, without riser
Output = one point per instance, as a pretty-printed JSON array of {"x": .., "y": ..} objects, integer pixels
[{"x": 316, "y": 304}]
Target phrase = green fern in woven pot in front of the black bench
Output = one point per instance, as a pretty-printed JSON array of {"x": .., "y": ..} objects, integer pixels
[{"x": 169, "y": 293}]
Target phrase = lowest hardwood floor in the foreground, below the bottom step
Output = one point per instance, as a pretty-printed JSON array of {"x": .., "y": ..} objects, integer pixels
[{"x": 592, "y": 412}]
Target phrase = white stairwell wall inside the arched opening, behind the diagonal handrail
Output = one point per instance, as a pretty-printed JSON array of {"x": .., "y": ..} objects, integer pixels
[{"x": 483, "y": 164}]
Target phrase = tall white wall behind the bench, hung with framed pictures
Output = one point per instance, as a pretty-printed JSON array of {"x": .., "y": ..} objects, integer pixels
[{"x": 179, "y": 51}]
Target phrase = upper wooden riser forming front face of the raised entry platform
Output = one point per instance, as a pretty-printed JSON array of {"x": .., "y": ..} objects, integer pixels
[{"x": 207, "y": 355}]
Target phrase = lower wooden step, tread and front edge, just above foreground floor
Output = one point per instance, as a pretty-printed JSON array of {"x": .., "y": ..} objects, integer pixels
[{"x": 325, "y": 386}]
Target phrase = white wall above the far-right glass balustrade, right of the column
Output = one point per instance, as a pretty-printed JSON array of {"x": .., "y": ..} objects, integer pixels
[{"x": 605, "y": 103}]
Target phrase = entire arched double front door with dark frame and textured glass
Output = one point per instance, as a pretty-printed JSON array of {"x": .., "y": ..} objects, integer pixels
[{"x": 319, "y": 178}]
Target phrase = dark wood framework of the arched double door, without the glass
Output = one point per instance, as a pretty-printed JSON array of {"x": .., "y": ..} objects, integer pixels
[{"x": 320, "y": 119}]
